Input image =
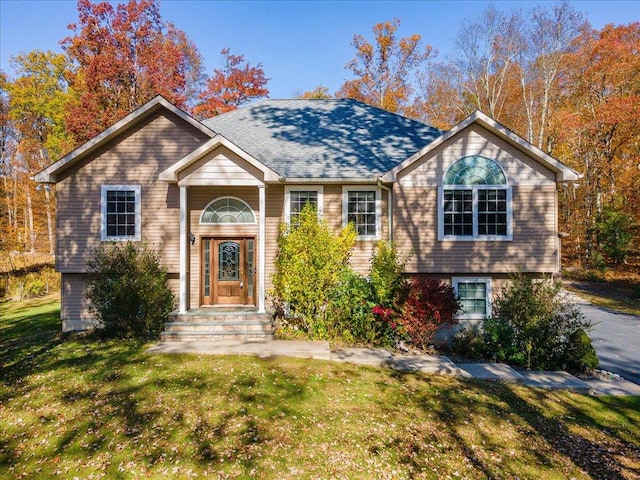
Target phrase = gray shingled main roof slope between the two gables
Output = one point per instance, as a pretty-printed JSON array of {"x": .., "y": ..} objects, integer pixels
[{"x": 336, "y": 138}]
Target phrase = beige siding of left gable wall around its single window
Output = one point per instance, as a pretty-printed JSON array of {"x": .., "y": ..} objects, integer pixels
[{"x": 134, "y": 158}]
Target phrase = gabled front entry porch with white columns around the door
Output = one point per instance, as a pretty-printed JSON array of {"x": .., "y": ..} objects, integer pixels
[{"x": 230, "y": 178}]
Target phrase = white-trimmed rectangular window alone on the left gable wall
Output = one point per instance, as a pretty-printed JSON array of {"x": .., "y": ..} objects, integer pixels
[{"x": 120, "y": 212}]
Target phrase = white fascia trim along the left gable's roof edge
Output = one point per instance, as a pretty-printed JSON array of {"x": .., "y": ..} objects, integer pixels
[{"x": 48, "y": 175}]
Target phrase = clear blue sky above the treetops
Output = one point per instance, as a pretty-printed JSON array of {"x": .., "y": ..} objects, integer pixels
[{"x": 301, "y": 44}]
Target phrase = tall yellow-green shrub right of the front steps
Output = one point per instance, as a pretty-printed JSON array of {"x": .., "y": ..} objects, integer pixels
[{"x": 310, "y": 260}]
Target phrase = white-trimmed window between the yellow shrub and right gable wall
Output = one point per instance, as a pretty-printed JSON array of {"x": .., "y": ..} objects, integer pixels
[{"x": 361, "y": 206}]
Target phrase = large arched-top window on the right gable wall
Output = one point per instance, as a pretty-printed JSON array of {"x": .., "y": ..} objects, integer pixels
[{"x": 474, "y": 201}]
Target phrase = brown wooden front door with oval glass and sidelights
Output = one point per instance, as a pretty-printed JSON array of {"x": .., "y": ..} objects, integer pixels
[{"x": 228, "y": 276}]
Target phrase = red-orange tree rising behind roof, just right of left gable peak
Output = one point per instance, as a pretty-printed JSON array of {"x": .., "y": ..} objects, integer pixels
[{"x": 231, "y": 86}]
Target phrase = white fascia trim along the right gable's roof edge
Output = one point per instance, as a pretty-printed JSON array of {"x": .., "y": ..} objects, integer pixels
[{"x": 563, "y": 173}]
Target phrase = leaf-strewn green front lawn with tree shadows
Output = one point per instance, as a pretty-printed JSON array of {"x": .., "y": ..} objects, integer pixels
[{"x": 75, "y": 407}]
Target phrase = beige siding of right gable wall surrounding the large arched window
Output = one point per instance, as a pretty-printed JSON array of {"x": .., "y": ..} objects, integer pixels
[{"x": 534, "y": 247}]
